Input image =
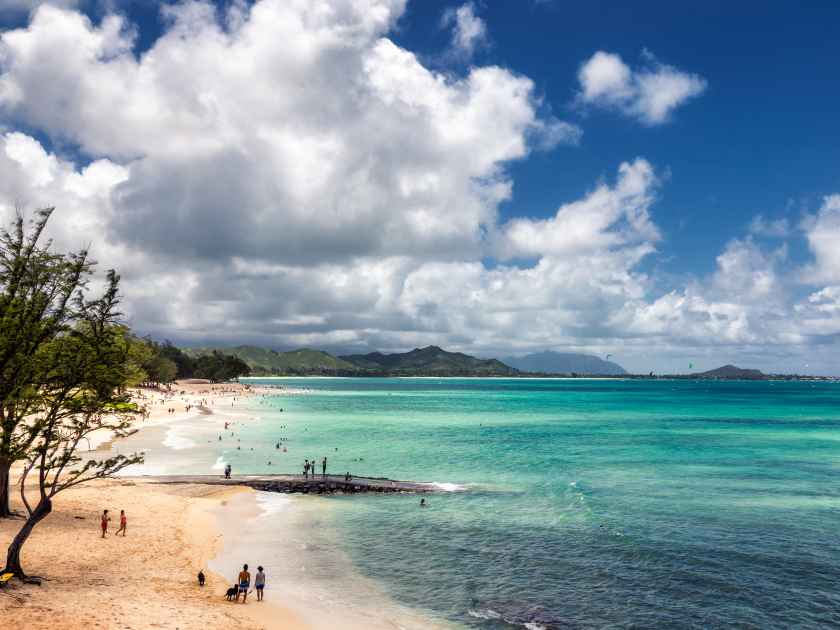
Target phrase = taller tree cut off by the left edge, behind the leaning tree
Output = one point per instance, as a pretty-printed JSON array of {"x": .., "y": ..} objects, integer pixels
[{"x": 37, "y": 288}]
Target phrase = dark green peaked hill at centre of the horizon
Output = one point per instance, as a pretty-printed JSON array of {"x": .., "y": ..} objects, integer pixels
[{"x": 431, "y": 361}]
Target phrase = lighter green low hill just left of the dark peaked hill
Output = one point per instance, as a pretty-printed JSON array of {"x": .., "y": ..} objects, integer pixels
[{"x": 265, "y": 361}]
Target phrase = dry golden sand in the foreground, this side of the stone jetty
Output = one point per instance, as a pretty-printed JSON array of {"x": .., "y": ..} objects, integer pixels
[{"x": 144, "y": 580}]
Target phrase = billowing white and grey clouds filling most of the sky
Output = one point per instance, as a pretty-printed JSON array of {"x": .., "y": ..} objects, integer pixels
[{"x": 286, "y": 174}]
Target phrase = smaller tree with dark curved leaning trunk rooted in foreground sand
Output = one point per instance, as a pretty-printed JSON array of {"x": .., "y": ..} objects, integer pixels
[{"x": 83, "y": 389}]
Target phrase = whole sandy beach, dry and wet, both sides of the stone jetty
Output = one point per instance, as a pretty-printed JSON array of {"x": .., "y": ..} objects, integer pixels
[{"x": 149, "y": 578}]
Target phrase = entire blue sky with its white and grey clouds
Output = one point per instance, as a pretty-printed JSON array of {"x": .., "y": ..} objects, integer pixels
[{"x": 660, "y": 183}]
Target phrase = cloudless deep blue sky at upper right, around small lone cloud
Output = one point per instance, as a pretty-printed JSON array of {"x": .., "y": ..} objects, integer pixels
[{"x": 762, "y": 139}]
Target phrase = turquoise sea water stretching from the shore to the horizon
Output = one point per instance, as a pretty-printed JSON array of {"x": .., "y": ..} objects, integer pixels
[{"x": 589, "y": 503}]
